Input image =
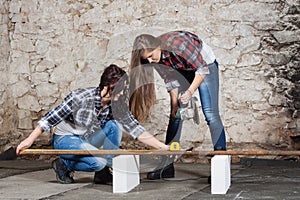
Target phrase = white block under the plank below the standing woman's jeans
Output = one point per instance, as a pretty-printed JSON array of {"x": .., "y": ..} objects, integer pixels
[{"x": 220, "y": 174}]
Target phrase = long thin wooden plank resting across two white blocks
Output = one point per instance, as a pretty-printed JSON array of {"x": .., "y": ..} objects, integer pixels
[{"x": 160, "y": 152}]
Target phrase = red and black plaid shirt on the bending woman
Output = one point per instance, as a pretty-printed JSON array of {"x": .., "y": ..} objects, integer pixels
[{"x": 183, "y": 50}]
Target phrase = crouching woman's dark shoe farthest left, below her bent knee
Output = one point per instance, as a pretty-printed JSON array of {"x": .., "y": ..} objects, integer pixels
[{"x": 62, "y": 174}]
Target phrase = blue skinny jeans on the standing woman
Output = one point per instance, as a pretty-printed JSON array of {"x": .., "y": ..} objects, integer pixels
[{"x": 209, "y": 97}]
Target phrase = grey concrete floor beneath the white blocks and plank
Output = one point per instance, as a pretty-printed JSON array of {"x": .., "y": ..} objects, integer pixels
[{"x": 250, "y": 179}]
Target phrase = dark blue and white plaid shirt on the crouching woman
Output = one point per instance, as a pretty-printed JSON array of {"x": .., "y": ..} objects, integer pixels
[{"x": 78, "y": 114}]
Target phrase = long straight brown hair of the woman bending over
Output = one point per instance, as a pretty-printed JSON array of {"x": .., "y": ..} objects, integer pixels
[{"x": 142, "y": 88}]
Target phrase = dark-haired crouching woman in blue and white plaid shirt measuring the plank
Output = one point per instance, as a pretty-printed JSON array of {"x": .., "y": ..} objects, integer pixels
[{"x": 88, "y": 119}]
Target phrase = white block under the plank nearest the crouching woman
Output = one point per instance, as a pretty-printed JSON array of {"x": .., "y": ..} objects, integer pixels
[{"x": 126, "y": 175}]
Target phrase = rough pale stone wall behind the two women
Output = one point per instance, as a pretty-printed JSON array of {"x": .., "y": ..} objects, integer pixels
[{"x": 49, "y": 48}]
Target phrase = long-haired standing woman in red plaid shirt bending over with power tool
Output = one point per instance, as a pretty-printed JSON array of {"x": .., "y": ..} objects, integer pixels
[{"x": 188, "y": 55}]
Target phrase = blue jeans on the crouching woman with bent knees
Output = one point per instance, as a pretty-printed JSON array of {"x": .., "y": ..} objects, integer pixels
[{"x": 109, "y": 136}]
